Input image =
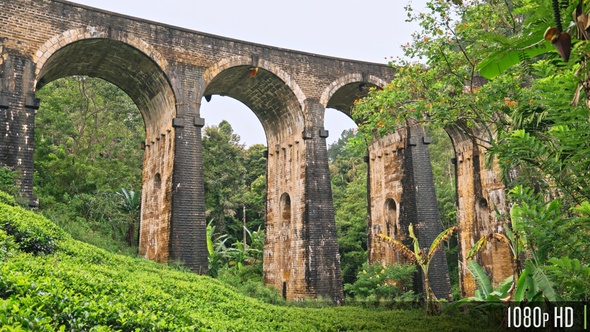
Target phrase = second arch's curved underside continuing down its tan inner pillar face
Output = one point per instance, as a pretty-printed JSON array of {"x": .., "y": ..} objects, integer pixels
[{"x": 277, "y": 103}]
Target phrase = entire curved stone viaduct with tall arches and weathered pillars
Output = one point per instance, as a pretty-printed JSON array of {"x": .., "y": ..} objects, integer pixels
[{"x": 167, "y": 71}]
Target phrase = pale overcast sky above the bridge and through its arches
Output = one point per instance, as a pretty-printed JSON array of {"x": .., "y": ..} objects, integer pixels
[{"x": 370, "y": 31}]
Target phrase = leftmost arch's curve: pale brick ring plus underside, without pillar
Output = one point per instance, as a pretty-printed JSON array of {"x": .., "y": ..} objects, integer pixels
[{"x": 126, "y": 61}]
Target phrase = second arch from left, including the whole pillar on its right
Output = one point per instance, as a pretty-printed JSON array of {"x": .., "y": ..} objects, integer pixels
[{"x": 294, "y": 198}]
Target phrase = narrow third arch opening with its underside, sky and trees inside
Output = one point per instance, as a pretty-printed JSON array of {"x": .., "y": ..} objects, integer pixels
[{"x": 349, "y": 174}]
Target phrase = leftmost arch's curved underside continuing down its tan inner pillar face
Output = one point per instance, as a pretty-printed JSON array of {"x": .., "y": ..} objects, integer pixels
[{"x": 143, "y": 79}]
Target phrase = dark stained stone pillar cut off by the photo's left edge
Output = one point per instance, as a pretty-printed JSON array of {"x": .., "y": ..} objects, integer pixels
[{"x": 18, "y": 106}]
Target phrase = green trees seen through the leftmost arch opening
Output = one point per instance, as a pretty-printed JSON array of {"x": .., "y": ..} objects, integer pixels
[{"x": 87, "y": 138}]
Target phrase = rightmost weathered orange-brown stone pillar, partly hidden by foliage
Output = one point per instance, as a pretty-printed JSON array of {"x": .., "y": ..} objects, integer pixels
[{"x": 480, "y": 193}]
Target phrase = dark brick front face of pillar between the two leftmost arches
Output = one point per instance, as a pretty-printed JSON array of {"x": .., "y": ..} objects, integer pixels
[{"x": 188, "y": 226}]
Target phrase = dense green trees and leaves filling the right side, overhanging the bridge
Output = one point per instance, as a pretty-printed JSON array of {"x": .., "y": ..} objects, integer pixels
[{"x": 531, "y": 114}]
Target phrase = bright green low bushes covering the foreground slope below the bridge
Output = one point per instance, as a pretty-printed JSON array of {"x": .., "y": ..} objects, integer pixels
[{"x": 50, "y": 282}]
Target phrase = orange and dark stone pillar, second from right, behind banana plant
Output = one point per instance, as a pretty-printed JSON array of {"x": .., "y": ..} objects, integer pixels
[{"x": 401, "y": 191}]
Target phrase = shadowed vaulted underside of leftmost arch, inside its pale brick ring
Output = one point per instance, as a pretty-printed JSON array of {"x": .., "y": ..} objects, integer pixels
[{"x": 121, "y": 64}]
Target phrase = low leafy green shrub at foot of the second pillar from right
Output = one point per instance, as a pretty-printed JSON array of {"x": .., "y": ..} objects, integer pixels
[{"x": 377, "y": 283}]
